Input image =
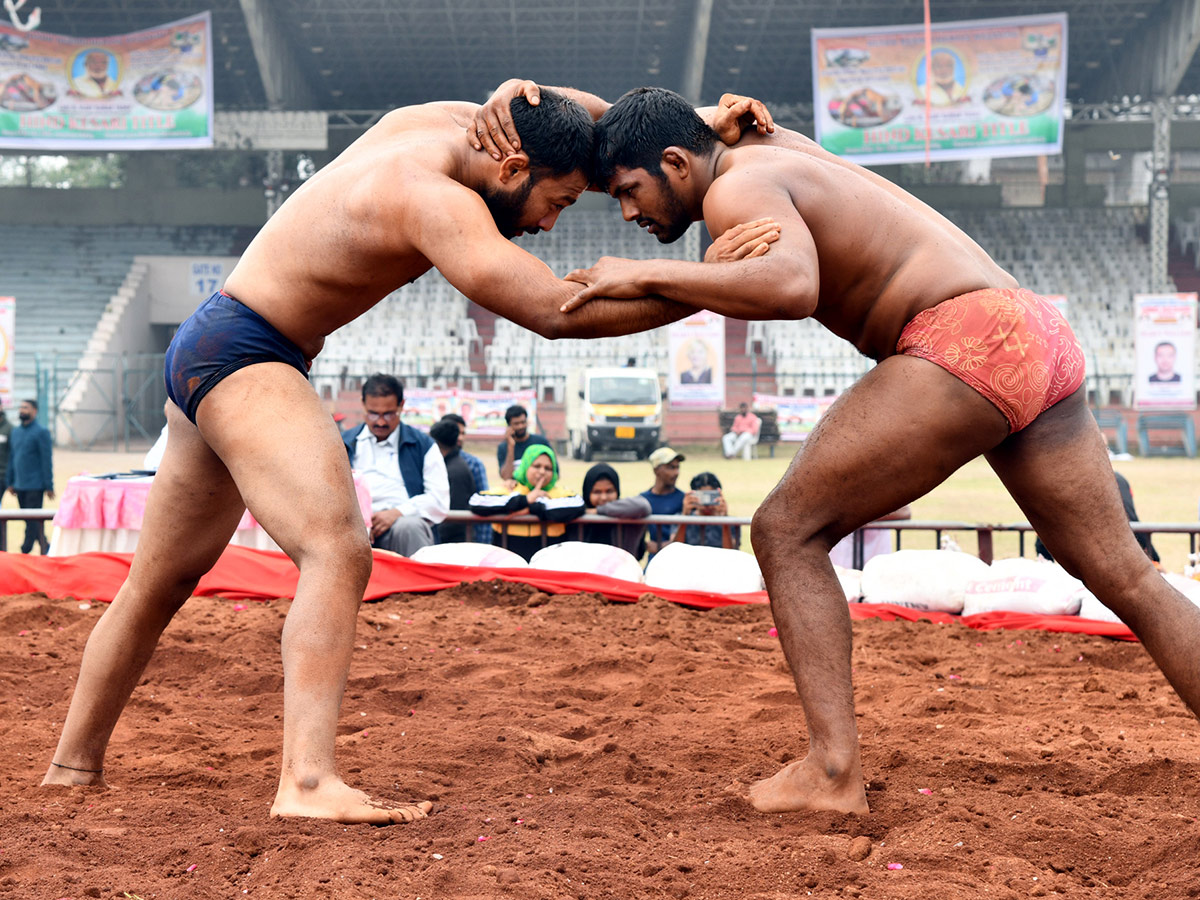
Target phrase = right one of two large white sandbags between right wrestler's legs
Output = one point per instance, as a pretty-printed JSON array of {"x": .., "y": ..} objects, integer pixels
[{"x": 1034, "y": 586}]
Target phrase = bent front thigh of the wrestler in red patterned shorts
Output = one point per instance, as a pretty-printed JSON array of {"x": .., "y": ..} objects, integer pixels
[{"x": 898, "y": 434}]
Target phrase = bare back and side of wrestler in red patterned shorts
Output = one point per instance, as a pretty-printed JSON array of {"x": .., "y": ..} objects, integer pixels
[{"x": 884, "y": 255}]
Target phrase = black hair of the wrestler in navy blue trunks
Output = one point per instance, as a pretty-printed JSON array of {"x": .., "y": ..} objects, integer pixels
[{"x": 556, "y": 135}]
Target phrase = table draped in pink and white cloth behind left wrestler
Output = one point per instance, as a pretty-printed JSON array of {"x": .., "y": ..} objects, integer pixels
[{"x": 103, "y": 514}]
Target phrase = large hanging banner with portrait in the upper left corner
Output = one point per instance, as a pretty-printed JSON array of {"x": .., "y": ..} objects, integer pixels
[{"x": 146, "y": 91}]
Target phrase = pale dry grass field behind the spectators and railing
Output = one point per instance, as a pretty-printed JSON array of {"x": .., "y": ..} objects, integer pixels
[{"x": 1166, "y": 490}]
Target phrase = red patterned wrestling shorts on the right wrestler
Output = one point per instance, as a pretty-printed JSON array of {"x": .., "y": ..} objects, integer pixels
[{"x": 1011, "y": 346}]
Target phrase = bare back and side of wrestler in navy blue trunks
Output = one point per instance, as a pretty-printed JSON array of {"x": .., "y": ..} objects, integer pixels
[{"x": 339, "y": 244}]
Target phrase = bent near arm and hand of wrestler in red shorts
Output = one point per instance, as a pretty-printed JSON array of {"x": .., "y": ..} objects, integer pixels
[{"x": 781, "y": 285}]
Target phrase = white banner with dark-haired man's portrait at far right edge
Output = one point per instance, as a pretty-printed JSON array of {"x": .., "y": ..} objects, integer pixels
[{"x": 1166, "y": 351}]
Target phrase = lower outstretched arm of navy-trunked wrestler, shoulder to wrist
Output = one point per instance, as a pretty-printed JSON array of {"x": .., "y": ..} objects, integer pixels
[{"x": 507, "y": 280}]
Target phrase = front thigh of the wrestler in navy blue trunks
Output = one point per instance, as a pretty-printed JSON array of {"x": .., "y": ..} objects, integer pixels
[{"x": 285, "y": 454}]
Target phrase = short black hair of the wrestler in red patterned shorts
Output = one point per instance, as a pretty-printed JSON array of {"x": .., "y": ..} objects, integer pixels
[{"x": 635, "y": 131}]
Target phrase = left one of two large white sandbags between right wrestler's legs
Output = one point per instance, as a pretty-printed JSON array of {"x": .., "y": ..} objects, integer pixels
[{"x": 922, "y": 579}]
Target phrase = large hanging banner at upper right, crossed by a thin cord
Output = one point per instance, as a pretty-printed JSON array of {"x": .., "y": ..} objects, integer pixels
[{"x": 998, "y": 89}]
